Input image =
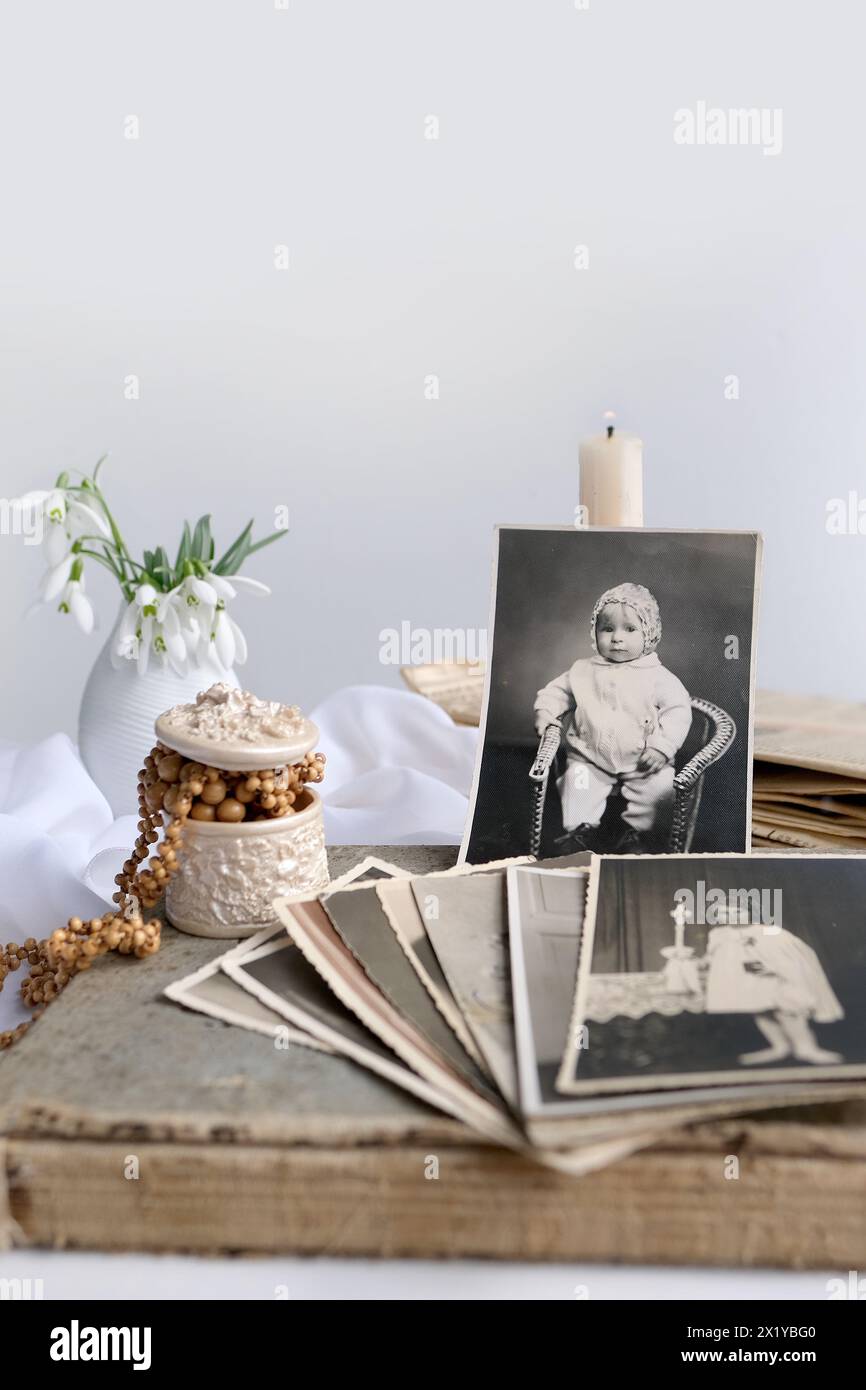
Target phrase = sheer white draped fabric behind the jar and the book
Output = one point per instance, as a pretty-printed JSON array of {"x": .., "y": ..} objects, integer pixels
[{"x": 400, "y": 772}]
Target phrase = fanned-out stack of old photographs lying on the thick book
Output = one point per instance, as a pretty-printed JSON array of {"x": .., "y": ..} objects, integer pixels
[{"x": 573, "y": 1010}]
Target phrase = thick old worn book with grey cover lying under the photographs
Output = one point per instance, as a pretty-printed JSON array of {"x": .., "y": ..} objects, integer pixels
[{"x": 245, "y": 1146}]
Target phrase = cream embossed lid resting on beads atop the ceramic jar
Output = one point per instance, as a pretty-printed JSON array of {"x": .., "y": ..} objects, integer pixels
[{"x": 236, "y": 730}]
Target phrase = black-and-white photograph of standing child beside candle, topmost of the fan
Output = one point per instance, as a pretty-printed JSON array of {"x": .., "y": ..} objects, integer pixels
[{"x": 701, "y": 970}]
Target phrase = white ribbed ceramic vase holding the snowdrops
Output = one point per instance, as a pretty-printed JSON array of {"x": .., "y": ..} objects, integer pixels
[{"x": 119, "y": 710}]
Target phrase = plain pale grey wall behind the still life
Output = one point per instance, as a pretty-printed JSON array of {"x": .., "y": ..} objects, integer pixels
[{"x": 412, "y": 258}]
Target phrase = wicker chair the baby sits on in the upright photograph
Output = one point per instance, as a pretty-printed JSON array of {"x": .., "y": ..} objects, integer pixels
[{"x": 715, "y": 732}]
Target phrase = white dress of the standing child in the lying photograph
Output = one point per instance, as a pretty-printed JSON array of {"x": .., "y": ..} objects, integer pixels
[{"x": 758, "y": 970}]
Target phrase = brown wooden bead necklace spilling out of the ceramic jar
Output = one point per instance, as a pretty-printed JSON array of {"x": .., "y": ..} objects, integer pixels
[{"x": 169, "y": 787}]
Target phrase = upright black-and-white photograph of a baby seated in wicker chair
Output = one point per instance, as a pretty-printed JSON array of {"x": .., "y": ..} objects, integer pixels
[{"x": 619, "y": 700}]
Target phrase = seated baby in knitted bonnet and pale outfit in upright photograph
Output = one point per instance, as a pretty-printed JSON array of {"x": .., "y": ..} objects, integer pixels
[{"x": 623, "y": 717}]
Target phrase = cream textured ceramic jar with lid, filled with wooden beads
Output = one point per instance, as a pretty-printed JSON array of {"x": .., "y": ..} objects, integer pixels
[{"x": 229, "y": 875}]
